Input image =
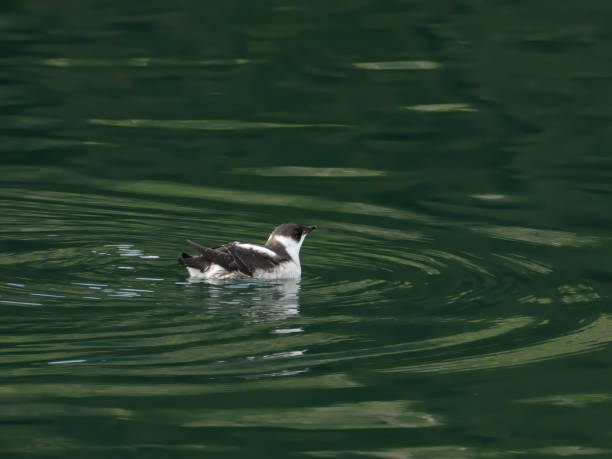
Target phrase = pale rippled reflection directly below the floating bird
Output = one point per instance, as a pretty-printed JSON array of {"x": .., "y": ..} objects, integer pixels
[{"x": 257, "y": 300}]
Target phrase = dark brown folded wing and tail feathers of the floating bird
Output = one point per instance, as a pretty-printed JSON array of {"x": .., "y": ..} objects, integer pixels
[{"x": 231, "y": 257}]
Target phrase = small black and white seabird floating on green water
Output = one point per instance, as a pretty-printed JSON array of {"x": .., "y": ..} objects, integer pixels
[{"x": 279, "y": 258}]
